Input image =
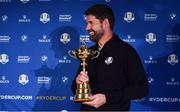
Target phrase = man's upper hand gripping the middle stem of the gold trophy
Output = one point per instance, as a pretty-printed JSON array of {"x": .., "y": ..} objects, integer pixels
[{"x": 82, "y": 78}]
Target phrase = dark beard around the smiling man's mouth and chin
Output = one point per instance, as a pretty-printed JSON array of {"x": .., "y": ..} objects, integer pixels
[{"x": 96, "y": 36}]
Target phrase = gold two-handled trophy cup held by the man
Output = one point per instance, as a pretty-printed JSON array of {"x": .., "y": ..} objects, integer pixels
[{"x": 83, "y": 90}]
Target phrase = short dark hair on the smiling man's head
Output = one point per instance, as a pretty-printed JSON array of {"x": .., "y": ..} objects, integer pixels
[{"x": 101, "y": 12}]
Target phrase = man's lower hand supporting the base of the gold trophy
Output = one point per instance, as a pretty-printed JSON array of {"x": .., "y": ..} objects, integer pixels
[{"x": 97, "y": 100}]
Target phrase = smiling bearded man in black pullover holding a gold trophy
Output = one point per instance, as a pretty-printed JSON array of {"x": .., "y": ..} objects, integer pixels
[{"x": 117, "y": 76}]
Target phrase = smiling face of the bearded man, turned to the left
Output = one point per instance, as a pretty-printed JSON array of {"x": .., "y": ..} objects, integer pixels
[{"x": 94, "y": 28}]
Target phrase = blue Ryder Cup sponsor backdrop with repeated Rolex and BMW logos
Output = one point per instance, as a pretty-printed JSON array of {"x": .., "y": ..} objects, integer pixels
[{"x": 36, "y": 71}]
